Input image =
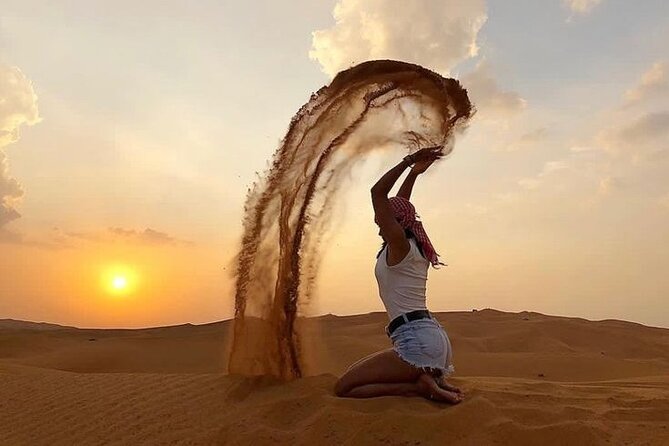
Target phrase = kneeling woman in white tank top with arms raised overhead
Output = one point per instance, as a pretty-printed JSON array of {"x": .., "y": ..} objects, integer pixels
[{"x": 420, "y": 358}]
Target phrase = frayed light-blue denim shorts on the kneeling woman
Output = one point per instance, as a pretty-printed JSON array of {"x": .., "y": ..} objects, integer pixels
[{"x": 424, "y": 344}]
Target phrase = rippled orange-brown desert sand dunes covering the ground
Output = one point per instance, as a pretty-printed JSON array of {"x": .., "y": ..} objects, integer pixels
[{"x": 530, "y": 379}]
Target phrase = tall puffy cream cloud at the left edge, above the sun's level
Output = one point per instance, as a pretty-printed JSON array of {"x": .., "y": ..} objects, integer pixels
[{"x": 18, "y": 106}]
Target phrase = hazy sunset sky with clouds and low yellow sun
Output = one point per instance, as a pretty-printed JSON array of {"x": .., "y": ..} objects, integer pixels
[{"x": 130, "y": 132}]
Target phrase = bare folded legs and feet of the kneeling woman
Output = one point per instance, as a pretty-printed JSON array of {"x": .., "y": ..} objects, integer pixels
[{"x": 385, "y": 373}]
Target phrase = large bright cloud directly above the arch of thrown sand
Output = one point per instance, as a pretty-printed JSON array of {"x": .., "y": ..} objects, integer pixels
[{"x": 438, "y": 34}]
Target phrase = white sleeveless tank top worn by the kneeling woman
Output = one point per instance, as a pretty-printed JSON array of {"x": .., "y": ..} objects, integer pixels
[{"x": 402, "y": 286}]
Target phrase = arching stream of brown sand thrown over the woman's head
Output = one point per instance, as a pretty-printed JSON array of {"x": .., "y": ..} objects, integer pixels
[{"x": 373, "y": 106}]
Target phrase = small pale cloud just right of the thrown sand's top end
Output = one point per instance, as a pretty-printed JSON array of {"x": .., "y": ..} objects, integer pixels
[{"x": 491, "y": 101}]
